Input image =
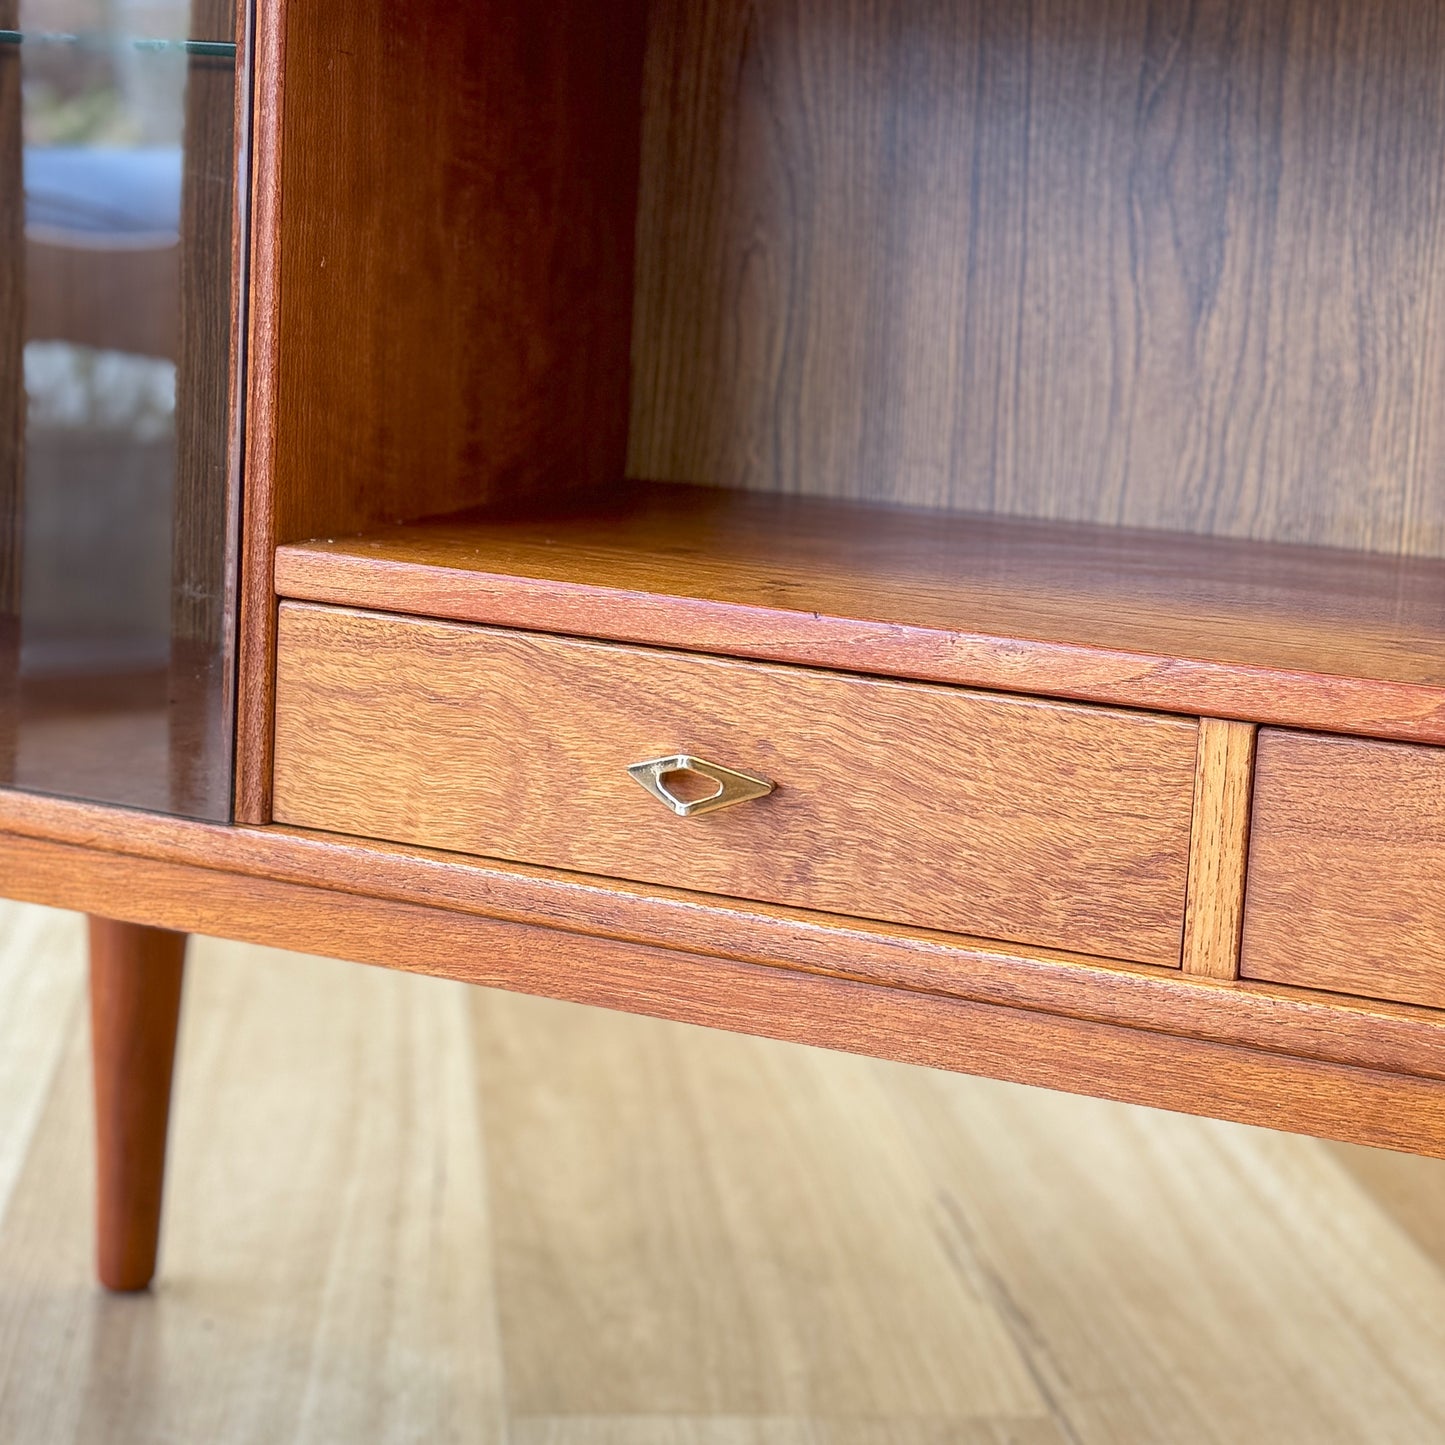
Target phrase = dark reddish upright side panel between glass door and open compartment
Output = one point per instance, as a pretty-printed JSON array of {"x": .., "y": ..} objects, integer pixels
[{"x": 444, "y": 274}]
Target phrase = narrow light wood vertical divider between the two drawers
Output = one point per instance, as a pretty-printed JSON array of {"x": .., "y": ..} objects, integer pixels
[{"x": 1219, "y": 849}]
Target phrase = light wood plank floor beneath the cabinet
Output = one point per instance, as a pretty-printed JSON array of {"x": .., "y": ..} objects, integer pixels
[{"x": 402, "y": 1210}]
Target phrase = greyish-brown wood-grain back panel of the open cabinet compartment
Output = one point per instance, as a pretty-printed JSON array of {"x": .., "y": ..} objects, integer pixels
[{"x": 1171, "y": 265}]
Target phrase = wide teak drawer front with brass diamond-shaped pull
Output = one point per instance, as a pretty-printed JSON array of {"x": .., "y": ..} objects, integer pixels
[{"x": 999, "y": 817}]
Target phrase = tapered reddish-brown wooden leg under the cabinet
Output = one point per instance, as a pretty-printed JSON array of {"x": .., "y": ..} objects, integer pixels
[{"x": 135, "y": 1008}]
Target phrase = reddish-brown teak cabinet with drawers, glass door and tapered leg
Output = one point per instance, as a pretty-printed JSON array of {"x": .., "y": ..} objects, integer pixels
[{"x": 910, "y": 528}]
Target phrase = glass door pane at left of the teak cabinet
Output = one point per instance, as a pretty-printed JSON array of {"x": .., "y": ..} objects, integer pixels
[{"x": 116, "y": 385}]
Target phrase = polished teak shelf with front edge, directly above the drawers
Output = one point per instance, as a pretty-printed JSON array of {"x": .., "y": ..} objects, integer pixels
[{"x": 1271, "y": 634}]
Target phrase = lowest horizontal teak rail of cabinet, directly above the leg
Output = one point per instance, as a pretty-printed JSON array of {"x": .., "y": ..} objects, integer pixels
[{"x": 1134, "y": 1066}]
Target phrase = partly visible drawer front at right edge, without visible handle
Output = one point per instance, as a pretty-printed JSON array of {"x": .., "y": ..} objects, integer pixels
[{"x": 1347, "y": 868}]
